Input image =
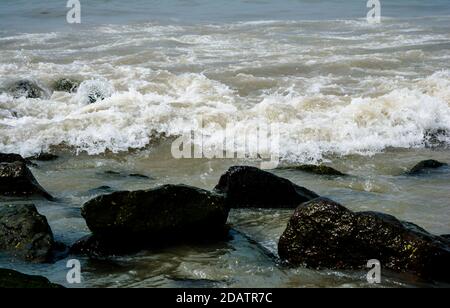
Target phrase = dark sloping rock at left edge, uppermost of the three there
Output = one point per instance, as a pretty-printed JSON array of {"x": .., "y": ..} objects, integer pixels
[{"x": 17, "y": 180}]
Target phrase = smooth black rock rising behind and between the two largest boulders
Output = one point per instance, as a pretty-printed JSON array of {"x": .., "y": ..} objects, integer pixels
[{"x": 250, "y": 187}]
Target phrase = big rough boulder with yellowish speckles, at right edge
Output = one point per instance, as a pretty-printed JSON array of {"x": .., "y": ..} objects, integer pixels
[{"x": 324, "y": 234}]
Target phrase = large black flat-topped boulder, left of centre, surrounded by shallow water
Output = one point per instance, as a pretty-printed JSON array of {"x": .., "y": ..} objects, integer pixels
[{"x": 147, "y": 218}]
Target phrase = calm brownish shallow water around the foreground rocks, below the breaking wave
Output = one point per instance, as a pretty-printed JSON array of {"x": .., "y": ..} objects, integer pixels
[{"x": 376, "y": 183}]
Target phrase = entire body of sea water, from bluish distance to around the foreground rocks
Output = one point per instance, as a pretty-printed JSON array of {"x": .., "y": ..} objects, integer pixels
[{"x": 360, "y": 97}]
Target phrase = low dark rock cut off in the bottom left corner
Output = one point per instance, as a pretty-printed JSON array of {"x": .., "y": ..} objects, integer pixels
[{"x": 10, "y": 279}]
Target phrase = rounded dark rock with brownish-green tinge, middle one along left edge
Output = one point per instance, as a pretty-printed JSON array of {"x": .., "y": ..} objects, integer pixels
[{"x": 25, "y": 233}]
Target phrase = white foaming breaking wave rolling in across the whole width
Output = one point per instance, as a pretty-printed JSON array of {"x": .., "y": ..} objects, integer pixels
[{"x": 312, "y": 125}]
